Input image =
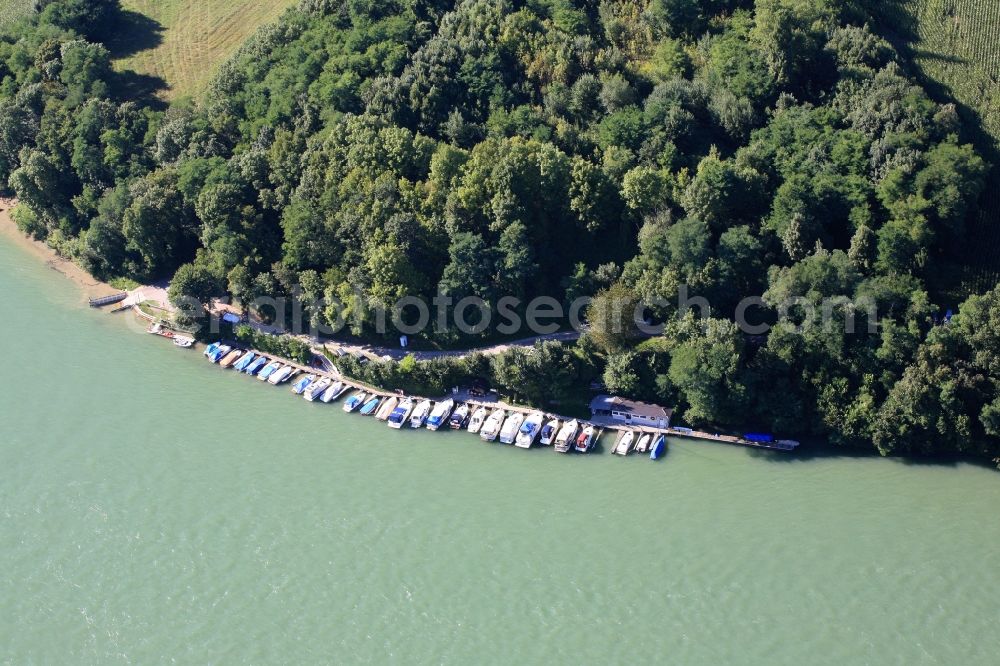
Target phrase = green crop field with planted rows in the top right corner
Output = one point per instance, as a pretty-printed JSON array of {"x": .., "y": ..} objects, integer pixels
[{"x": 954, "y": 45}]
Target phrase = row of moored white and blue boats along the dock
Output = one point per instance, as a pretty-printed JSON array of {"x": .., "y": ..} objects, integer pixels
[{"x": 509, "y": 426}]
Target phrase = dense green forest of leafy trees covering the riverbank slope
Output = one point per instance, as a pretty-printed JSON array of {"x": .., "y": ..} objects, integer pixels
[{"x": 361, "y": 154}]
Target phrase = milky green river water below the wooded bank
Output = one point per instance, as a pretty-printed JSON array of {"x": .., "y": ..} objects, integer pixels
[{"x": 156, "y": 509}]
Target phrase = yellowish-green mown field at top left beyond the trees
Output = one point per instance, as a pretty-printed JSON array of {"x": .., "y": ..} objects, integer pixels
[{"x": 183, "y": 41}]
